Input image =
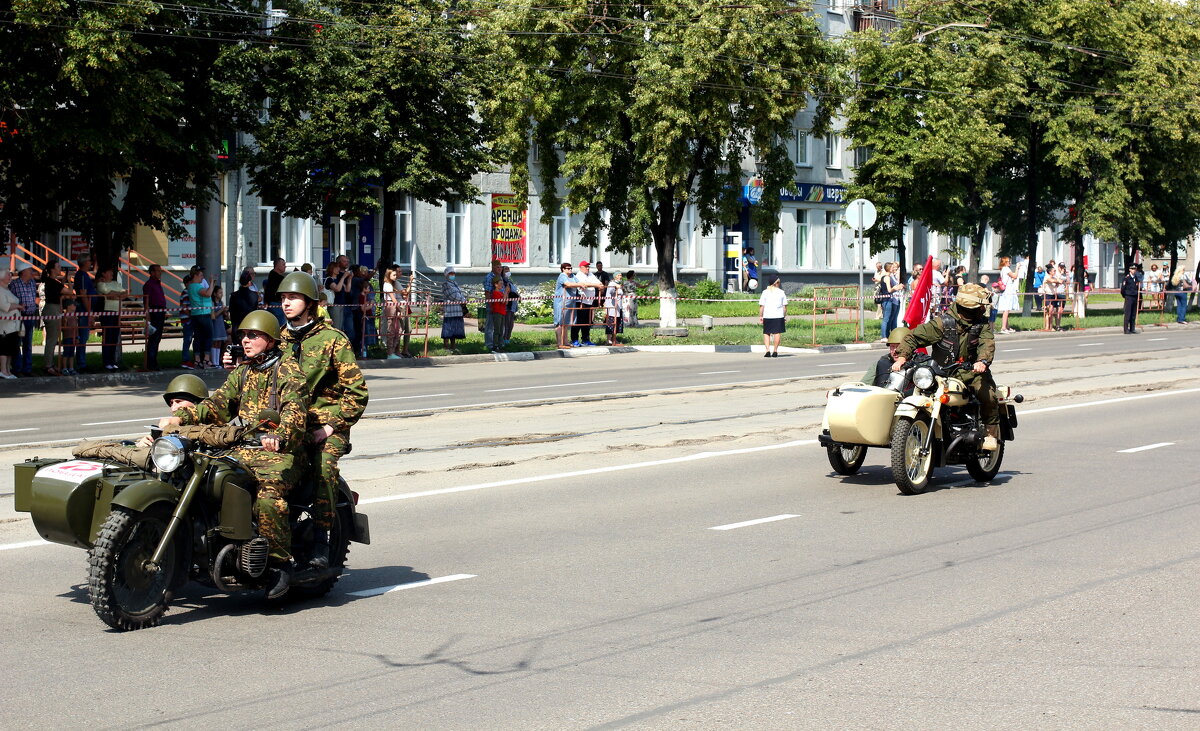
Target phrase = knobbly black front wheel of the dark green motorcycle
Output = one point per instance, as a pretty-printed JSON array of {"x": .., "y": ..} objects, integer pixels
[{"x": 123, "y": 592}]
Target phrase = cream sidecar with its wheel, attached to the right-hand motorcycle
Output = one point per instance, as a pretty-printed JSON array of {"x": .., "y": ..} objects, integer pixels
[{"x": 857, "y": 416}]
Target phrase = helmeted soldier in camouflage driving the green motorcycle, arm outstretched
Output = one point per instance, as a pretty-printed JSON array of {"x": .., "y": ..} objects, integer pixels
[{"x": 265, "y": 381}]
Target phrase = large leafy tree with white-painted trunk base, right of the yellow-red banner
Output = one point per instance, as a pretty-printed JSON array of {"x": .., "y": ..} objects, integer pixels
[{"x": 639, "y": 111}]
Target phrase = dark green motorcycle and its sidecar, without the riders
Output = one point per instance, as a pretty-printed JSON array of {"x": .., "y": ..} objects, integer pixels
[{"x": 149, "y": 532}]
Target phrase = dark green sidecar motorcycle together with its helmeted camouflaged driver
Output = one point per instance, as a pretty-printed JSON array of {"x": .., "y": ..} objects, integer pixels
[{"x": 213, "y": 510}]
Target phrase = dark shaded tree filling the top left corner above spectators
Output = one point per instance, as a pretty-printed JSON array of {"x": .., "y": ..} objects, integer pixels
[{"x": 106, "y": 95}]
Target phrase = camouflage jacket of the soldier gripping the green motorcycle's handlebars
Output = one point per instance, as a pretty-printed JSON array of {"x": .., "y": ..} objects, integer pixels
[{"x": 248, "y": 392}]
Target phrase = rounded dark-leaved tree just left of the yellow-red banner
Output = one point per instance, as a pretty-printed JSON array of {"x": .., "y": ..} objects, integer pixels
[{"x": 368, "y": 104}]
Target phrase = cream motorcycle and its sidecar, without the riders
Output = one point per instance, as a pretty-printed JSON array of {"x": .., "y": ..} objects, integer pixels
[{"x": 926, "y": 418}]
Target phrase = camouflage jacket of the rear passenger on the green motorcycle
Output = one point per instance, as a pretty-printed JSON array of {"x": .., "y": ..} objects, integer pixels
[{"x": 337, "y": 391}]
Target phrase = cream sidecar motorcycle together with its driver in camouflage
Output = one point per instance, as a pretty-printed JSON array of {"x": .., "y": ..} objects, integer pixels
[{"x": 932, "y": 412}]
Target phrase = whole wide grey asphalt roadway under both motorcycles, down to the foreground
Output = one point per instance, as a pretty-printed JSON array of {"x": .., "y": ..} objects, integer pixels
[{"x": 629, "y": 578}]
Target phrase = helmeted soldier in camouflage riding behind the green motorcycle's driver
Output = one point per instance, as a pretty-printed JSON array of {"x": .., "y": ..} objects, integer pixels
[{"x": 337, "y": 392}]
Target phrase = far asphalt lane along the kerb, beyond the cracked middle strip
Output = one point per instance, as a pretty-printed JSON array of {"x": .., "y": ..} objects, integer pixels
[{"x": 68, "y": 418}]
